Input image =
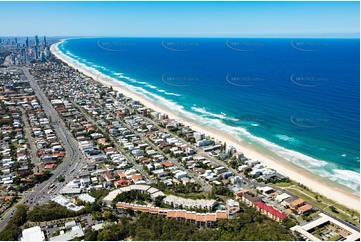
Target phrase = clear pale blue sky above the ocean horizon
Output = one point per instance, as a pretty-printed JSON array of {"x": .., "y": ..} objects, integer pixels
[{"x": 181, "y": 19}]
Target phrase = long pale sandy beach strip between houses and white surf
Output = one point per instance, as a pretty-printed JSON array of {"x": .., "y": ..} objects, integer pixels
[{"x": 298, "y": 174}]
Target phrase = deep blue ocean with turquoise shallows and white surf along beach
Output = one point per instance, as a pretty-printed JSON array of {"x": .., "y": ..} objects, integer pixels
[{"x": 297, "y": 98}]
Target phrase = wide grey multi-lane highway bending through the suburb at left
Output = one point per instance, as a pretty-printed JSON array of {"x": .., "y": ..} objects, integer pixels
[{"x": 74, "y": 157}]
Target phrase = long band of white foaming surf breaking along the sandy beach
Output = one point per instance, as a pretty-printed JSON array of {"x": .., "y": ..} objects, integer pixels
[{"x": 295, "y": 157}]
